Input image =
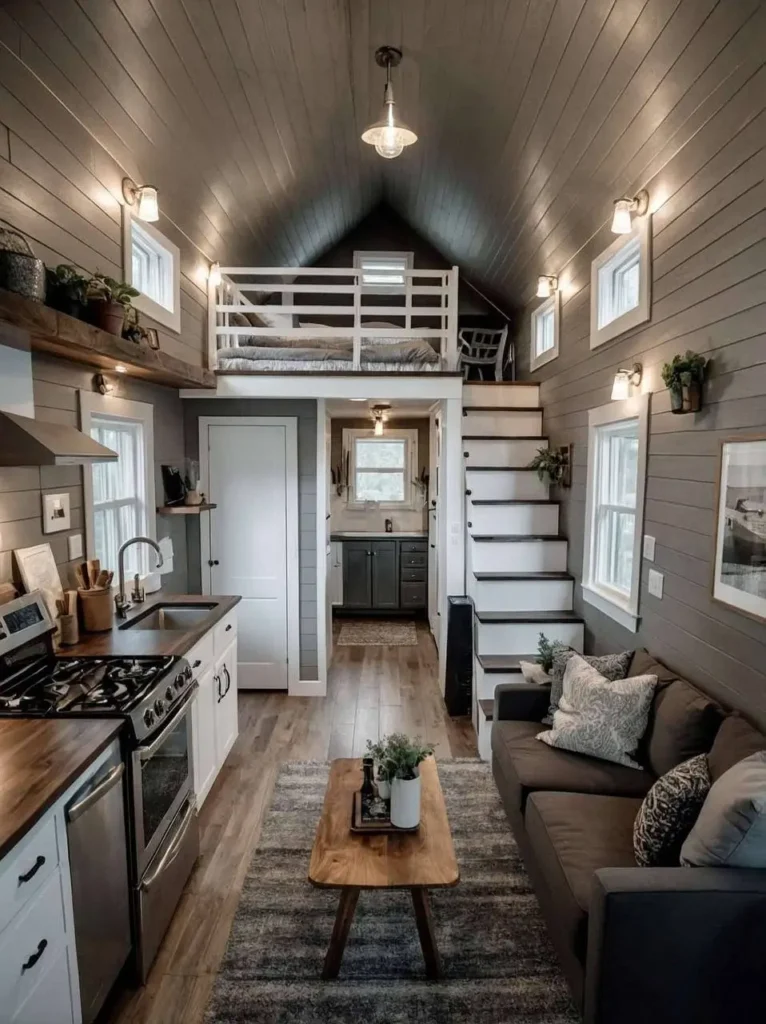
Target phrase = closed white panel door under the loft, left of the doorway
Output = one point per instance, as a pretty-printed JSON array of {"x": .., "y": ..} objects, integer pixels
[{"x": 253, "y": 542}]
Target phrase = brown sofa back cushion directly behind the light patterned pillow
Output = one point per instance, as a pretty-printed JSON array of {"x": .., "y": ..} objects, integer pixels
[{"x": 684, "y": 721}]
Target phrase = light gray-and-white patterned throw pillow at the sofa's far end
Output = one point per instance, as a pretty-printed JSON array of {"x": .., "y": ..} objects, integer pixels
[{"x": 601, "y": 718}]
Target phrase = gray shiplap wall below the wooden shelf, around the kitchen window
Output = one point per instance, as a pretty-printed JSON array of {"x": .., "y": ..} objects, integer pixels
[{"x": 56, "y": 386}]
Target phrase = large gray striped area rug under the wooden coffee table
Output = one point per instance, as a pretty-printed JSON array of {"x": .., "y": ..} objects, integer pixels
[{"x": 500, "y": 968}]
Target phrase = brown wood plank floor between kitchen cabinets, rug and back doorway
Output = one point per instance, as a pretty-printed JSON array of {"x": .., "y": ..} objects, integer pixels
[{"x": 371, "y": 692}]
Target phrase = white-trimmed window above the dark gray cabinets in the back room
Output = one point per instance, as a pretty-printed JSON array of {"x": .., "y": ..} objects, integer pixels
[{"x": 381, "y": 468}]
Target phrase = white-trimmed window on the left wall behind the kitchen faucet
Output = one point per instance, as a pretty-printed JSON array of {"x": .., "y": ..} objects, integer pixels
[{"x": 120, "y": 496}]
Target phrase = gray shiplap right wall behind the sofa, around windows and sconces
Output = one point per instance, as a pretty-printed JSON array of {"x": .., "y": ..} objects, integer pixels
[{"x": 709, "y": 295}]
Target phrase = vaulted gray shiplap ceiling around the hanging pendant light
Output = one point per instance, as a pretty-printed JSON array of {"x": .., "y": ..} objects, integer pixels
[{"x": 532, "y": 114}]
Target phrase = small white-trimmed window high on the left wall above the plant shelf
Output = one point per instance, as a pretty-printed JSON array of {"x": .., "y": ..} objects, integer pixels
[{"x": 153, "y": 267}]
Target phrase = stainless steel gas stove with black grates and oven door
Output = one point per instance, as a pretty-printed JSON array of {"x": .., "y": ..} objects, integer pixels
[{"x": 154, "y": 696}]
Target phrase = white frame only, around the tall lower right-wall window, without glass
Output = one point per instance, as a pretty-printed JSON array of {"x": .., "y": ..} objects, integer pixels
[{"x": 607, "y": 601}]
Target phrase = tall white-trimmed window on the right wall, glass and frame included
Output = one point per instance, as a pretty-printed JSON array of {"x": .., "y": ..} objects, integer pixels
[{"x": 617, "y": 472}]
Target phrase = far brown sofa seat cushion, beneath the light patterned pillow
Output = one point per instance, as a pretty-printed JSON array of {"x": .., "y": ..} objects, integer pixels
[{"x": 529, "y": 766}]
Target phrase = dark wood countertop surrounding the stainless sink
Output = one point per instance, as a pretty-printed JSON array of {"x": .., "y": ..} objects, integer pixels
[{"x": 165, "y": 643}]
